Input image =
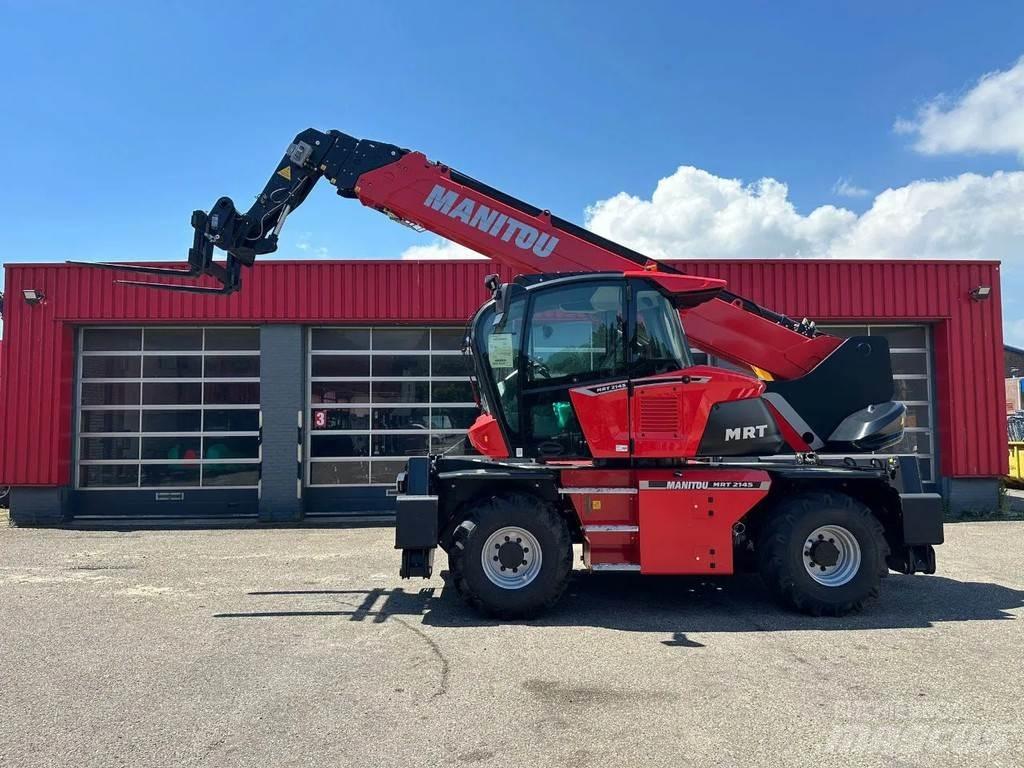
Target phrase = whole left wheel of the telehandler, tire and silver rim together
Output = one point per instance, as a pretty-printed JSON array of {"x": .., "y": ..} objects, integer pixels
[{"x": 511, "y": 557}]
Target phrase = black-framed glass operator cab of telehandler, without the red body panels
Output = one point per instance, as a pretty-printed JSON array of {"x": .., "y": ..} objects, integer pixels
[{"x": 541, "y": 339}]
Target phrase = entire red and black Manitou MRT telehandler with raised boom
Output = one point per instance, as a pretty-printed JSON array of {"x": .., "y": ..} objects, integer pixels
[{"x": 599, "y": 430}]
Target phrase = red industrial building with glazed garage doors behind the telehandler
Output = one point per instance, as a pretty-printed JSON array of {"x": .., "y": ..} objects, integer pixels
[{"x": 301, "y": 397}]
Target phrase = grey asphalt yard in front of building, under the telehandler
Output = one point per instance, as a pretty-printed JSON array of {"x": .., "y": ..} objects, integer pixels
[{"x": 303, "y": 648}]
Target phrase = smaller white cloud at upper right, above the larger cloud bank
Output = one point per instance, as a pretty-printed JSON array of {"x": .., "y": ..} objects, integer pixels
[{"x": 990, "y": 118}]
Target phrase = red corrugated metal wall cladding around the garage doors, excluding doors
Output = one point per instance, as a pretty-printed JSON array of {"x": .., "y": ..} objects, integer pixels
[{"x": 37, "y": 357}]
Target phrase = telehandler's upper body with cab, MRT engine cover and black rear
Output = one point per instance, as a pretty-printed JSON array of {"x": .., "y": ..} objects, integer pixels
[{"x": 598, "y": 367}]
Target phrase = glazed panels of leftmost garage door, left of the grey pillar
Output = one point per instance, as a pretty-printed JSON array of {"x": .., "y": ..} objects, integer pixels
[{"x": 168, "y": 408}]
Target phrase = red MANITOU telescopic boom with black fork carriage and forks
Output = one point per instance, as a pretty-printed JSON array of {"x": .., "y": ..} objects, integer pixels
[{"x": 411, "y": 190}]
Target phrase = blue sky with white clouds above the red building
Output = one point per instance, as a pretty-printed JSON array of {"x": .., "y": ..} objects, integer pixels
[{"x": 121, "y": 118}]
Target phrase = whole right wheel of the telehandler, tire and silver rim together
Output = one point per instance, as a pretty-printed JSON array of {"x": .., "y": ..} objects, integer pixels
[{"x": 823, "y": 553}]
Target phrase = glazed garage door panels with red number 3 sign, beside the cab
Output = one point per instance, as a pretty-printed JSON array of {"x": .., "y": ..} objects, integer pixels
[{"x": 378, "y": 396}]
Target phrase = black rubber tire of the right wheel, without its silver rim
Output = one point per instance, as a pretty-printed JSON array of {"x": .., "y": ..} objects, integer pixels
[{"x": 784, "y": 541}]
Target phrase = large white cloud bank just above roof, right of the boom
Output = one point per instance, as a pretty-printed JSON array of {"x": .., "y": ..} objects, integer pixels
[{"x": 695, "y": 215}]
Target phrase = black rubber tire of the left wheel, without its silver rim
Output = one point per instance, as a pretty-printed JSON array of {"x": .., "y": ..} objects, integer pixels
[{"x": 542, "y": 522}]
